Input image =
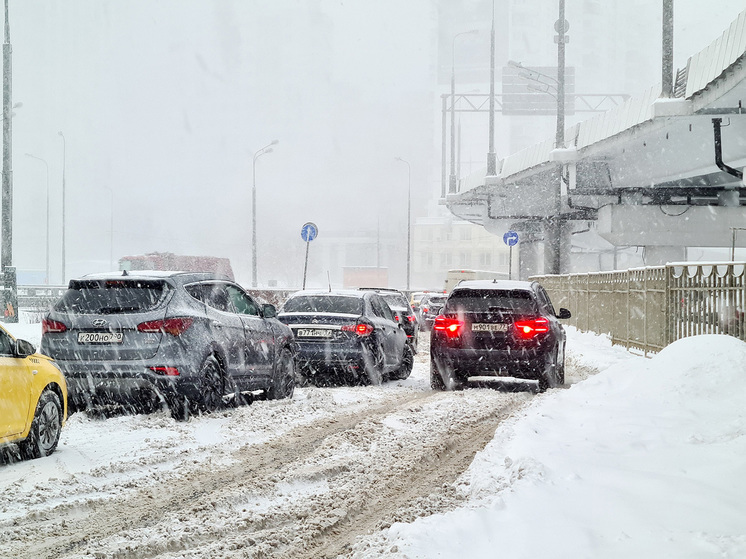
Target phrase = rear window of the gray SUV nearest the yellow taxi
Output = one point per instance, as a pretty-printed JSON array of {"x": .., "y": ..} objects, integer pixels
[{"x": 112, "y": 296}]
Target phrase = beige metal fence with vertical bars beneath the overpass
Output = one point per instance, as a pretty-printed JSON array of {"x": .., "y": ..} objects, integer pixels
[{"x": 648, "y": 308}]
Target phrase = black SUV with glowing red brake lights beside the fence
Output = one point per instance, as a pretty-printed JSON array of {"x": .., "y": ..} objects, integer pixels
[{"x": 489, "y": 330}]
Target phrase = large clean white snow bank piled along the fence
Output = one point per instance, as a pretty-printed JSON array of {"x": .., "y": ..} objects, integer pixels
[{"x": 645, "y": 459}]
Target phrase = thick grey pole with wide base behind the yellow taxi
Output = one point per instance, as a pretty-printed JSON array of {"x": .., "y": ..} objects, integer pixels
[{"x": 6, "y": 260}]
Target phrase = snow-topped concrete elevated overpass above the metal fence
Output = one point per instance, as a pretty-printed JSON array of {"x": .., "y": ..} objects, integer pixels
[{"x": 661, "y": 173}]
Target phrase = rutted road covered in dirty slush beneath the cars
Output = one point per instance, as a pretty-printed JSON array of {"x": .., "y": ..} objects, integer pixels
[{"x": 299, "y": 478}]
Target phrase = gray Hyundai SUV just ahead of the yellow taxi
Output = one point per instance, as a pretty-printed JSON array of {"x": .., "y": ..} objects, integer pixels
[{"x": 192, "y": 341}]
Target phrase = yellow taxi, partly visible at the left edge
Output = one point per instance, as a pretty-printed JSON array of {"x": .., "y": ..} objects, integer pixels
[{"x": 33, "y": 398}]
